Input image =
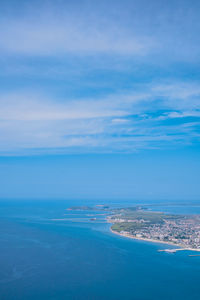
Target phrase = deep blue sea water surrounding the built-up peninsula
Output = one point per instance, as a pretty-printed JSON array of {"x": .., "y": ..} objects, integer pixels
[{"x": 45, "y": 257}]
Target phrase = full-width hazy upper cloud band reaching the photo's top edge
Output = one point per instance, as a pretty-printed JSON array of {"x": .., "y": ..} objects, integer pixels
[{"x": 112, "y": 28}]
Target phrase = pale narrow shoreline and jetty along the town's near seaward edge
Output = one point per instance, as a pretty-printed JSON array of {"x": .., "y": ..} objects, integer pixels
[{"x": 181, "y": 248}]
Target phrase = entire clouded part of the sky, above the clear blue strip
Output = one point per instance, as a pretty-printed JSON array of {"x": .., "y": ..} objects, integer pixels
[{"x": 98, "y": 76}]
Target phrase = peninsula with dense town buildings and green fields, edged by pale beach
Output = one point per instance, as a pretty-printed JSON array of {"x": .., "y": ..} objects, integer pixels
[{"x": 138, "y": 223}]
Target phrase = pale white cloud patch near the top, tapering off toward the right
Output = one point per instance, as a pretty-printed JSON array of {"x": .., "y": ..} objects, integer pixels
[{"x": 69, "y": 36}]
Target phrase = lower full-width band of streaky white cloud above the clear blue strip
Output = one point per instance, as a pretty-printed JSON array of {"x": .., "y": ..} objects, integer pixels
[{"x": 113, "y": 123}]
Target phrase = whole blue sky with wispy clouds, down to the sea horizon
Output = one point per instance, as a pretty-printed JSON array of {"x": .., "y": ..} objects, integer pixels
[{"x": 100, "y": 99}]
